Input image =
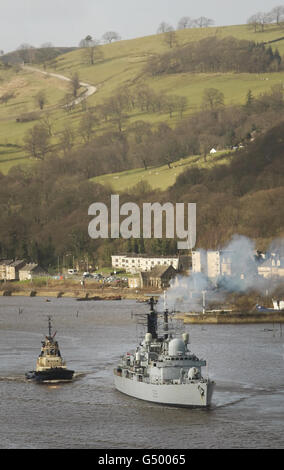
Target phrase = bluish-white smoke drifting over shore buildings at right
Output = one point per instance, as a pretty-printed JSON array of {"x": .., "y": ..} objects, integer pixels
[{"x": 190, "y": 293}]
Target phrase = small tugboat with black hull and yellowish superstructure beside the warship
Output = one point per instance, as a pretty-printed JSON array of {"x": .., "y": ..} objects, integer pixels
[{"x": 50, "y": 367}]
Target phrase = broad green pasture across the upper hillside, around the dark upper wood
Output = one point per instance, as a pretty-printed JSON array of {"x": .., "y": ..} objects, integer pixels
[{"x": 122, "y": 66}]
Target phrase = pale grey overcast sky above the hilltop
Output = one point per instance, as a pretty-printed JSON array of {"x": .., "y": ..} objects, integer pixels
[{"x": 66, "y": 22}]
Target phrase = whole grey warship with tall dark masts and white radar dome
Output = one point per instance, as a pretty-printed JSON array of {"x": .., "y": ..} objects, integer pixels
[{"x": 163, "y": 370}]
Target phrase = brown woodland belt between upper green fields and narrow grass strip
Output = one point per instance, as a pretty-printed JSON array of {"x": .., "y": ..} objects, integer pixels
[{"x": 128, "y": 145}]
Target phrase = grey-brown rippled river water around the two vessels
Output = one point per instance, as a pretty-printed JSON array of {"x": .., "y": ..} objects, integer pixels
[{"x": 246, "y": 361}]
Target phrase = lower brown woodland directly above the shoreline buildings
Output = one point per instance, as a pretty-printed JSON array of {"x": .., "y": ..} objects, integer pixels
[{"x": 43, "y": 208}]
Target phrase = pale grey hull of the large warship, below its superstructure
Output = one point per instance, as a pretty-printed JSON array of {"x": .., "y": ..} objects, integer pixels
[{"x": 196, "y": 394}]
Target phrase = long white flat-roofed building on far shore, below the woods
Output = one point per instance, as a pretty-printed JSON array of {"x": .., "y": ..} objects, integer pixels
[{"x": 135, "y": 263}]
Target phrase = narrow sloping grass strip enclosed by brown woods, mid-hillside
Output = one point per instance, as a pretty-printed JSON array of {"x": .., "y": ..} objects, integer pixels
[{"x": 158, "y": 177}]
